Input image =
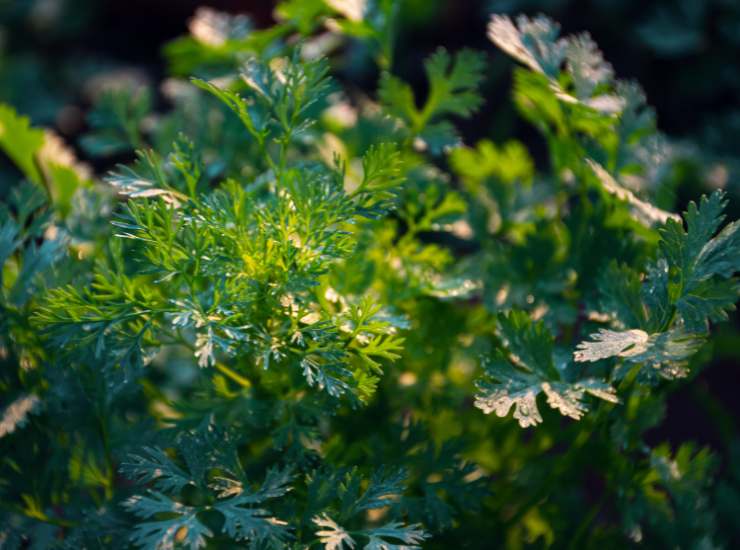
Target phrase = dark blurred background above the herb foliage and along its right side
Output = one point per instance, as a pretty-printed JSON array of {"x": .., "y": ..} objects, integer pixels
[{"x": 685, "y": 53}]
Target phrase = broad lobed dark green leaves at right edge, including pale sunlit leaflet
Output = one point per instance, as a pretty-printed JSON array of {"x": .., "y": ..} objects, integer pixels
[{"x": 692, "y": 282}]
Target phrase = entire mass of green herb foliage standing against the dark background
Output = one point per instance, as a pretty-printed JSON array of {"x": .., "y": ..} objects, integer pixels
[{"x": 279, "y": 324}]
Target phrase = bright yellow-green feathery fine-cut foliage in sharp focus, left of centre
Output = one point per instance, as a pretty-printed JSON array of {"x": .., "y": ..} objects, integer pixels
[{"x": 271, "y": 251}]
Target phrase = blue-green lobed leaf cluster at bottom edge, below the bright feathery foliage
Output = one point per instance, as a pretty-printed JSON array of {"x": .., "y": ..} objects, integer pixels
[{"x": 215, "y": 471}]
